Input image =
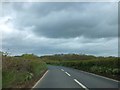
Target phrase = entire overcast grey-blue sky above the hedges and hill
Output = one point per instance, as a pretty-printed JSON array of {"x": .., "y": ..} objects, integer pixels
[{"x": 46, "y": 28}]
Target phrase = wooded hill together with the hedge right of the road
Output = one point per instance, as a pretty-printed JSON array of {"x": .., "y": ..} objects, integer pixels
[{"x": 106, "y": 66}]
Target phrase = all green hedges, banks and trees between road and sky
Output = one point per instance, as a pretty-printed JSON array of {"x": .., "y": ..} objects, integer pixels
[{"x": 23, "y": 71}]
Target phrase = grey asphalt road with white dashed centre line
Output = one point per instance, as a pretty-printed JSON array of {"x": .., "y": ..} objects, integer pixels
[{"x": 64, "y": 77}]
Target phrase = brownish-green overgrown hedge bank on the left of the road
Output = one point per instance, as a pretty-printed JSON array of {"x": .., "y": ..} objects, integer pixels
[{"x": 21, "y": 72}]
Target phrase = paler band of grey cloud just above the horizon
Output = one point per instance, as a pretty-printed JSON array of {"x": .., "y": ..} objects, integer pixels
[{"x": 43, "y": 46}]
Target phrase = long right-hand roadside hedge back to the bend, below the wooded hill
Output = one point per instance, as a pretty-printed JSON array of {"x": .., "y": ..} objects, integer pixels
[{"x": 105, "y": 66}]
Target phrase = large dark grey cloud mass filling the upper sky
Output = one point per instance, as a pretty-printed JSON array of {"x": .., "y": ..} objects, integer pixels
[{"x": 68, "y": 20}]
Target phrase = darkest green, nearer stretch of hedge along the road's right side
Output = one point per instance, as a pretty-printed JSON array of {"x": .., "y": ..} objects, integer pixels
[{"x": 107, "y": 68}]
